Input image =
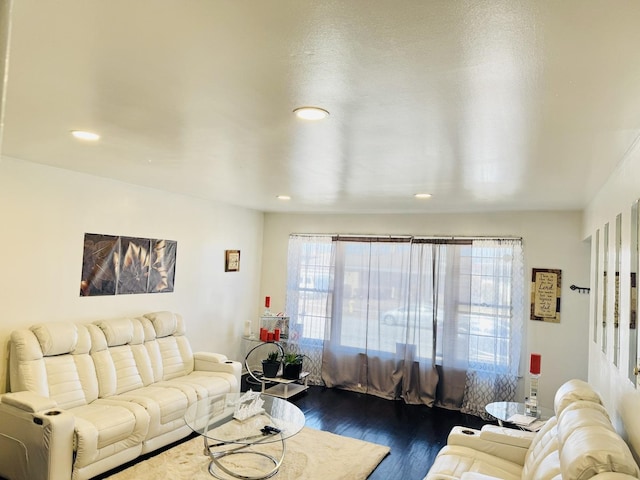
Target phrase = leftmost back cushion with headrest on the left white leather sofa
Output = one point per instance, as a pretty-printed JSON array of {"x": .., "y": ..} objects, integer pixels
[{"x": 53, "y": 360}]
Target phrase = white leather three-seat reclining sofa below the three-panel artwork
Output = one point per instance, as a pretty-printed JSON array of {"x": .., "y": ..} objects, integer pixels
[{"x": 86, "y": 398}]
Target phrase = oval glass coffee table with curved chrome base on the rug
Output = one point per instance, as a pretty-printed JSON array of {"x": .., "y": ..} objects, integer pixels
[{"x": 238, "y": 424}]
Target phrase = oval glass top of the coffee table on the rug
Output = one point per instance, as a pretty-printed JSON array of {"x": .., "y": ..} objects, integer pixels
[{"x": 222, "y": 418}]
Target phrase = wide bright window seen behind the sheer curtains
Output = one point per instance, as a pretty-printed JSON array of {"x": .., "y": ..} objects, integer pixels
[{"x": 378, "y": 293}]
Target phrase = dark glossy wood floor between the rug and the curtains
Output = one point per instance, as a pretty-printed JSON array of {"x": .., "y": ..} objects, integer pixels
[{"x": 414, "y": 433}]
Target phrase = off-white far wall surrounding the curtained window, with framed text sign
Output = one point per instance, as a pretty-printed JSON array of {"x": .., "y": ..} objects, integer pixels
[{"x": 551, "y": 240}]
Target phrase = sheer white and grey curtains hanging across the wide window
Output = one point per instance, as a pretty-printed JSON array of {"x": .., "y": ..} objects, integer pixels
[{"x": 432, "y": 321}]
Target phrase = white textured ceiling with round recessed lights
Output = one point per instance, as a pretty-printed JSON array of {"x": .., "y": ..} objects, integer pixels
[{"x": 487, "y": 105}]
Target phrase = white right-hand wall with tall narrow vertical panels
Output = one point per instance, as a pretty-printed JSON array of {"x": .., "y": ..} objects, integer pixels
[{"x": 619, "y": 393}]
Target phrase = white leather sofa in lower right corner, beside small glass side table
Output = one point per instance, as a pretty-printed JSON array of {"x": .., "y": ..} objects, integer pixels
[{"x": 578, "y": 443}]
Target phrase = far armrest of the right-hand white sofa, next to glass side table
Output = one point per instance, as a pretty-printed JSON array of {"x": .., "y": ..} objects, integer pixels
[{"x": 506, "y": 446}]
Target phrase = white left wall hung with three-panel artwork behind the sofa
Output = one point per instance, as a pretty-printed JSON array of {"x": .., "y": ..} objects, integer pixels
[{"x": 45, "y": 212}]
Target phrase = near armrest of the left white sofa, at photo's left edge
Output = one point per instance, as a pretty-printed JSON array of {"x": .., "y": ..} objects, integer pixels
[{"x": 43, "y": 435}]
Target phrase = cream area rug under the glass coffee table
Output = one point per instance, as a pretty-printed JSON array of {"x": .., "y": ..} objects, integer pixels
[{"x": 311, "y": 455}]
